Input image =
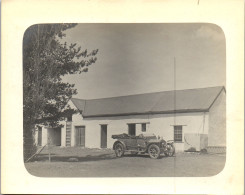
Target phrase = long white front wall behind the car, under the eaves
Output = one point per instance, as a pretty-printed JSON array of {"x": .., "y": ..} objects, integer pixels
[{"x": 159, "y": 124}]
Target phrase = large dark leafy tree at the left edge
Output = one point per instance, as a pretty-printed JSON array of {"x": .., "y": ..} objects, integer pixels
[{"x": 45, "y": 60}]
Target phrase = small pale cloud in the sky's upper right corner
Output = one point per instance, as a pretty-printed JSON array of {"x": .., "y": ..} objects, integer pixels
[{"x": 210, "y": 32}]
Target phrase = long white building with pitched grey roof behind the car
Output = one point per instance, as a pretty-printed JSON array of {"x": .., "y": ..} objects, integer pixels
[{"x": 193, "y": 118}]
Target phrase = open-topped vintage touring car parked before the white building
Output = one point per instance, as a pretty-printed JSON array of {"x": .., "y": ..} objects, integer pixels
[{"x": 143, "y": 143}]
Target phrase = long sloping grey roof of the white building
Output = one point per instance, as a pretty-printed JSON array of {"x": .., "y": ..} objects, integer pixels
[{"x": 188, "y": 100}]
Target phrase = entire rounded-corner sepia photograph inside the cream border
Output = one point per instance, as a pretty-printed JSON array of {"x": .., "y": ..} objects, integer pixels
[{"x": 124, "y": 100}]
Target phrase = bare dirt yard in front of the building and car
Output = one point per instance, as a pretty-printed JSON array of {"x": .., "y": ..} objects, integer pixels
[{"x": 80, "y": 162}]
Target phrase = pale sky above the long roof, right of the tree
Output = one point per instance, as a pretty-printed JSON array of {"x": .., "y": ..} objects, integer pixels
[{"x": 139, "y": 58}]
